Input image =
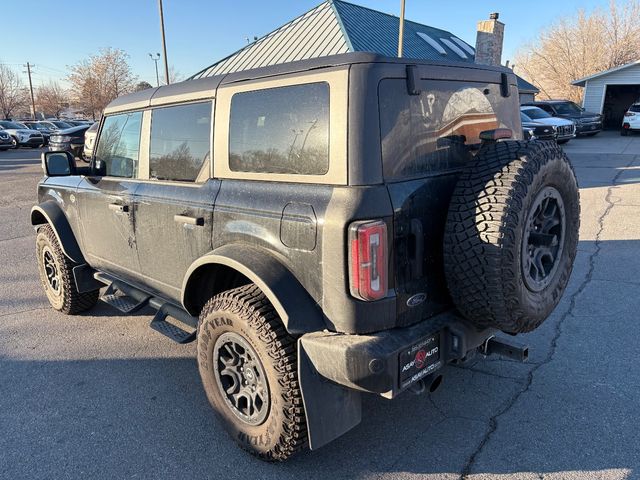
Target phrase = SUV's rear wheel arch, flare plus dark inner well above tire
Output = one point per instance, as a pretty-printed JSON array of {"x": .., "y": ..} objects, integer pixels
[{"x": 236, "y": 265}]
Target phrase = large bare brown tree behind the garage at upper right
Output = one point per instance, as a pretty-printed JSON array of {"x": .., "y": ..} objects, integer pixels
[{"x": 576, "y": 47}]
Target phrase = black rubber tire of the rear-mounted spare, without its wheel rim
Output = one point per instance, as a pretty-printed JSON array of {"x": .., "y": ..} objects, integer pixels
[{"x": 480, "y": 235}]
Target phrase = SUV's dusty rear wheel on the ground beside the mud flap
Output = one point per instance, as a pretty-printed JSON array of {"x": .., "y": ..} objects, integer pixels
[{"x": 248, "y": 365}]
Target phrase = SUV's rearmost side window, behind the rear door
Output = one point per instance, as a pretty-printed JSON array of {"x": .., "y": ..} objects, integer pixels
[{"x": 280, "y": 130}]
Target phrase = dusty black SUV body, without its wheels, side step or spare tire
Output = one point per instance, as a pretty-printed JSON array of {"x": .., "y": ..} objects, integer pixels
[{"x": 374, "y": 139}]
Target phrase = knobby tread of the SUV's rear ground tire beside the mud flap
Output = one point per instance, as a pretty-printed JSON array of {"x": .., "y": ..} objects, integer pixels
[{"x": 250, "y": 302}]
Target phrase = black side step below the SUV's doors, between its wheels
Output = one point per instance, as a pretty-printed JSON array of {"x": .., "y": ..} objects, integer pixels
[{"x": 128, "y": 299}]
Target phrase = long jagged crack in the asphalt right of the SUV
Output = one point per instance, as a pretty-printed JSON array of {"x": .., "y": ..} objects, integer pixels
[{"x": 509, "y": 403}]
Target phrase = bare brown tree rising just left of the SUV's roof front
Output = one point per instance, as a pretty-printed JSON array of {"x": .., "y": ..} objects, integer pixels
[{"x": 99, "y": 79}]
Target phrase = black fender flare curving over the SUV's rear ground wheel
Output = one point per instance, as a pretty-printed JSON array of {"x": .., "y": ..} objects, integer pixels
[{"x": 298, "y": 311}]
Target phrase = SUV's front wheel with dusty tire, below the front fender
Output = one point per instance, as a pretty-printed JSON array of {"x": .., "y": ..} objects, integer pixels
[{"x": 56, "y": 275}]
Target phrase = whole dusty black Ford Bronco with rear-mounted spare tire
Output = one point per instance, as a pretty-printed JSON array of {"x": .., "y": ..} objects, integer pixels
[{"x": 322, "y": 229}]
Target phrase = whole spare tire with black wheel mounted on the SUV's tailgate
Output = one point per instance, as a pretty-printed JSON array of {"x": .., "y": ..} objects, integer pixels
[{"x": 511, "y": 235}]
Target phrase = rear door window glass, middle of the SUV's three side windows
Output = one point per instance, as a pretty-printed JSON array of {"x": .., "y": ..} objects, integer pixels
[{"x": 180, "y": 141}]
